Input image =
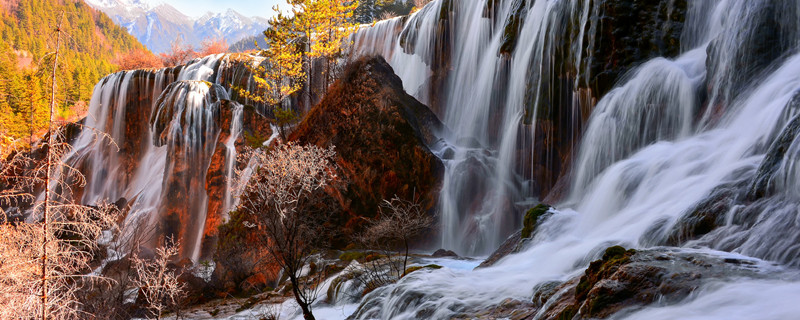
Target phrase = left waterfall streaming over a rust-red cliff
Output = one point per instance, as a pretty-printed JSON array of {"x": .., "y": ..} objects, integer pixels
[{"x": 167, "y": 127}]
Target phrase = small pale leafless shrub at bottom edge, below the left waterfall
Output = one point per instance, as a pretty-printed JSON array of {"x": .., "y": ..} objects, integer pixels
[{"x": 157, "y": 282}]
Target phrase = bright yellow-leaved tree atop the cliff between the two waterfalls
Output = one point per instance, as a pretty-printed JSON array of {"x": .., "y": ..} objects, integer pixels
[{"x": 315, "y": 29}]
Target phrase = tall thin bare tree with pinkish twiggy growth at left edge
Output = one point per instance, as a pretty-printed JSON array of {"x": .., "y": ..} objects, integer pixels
[{"x": 44, "y": 258}]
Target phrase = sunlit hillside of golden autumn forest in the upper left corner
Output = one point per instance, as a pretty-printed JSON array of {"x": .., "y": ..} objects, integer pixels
[{"x": 90, "y": 44}]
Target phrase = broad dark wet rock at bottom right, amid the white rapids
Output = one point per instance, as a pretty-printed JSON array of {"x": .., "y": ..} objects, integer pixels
[{"x": 628, "y": 279}]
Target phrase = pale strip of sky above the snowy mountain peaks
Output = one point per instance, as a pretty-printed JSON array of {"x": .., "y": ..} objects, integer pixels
[{"x": 196, "y": 8}]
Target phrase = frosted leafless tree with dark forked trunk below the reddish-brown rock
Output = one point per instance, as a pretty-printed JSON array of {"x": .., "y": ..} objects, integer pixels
[{"x": 281, "y": 198}]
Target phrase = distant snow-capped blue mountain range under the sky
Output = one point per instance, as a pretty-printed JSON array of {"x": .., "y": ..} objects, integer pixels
[{"x": 157, "y": 27}]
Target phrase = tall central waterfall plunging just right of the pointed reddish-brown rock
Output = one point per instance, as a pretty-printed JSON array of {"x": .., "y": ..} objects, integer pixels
[{"x": 483, "y": 99}]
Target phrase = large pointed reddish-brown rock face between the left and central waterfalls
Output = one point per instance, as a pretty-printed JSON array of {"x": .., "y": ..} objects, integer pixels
[{"x": 382, "y": 137}]
